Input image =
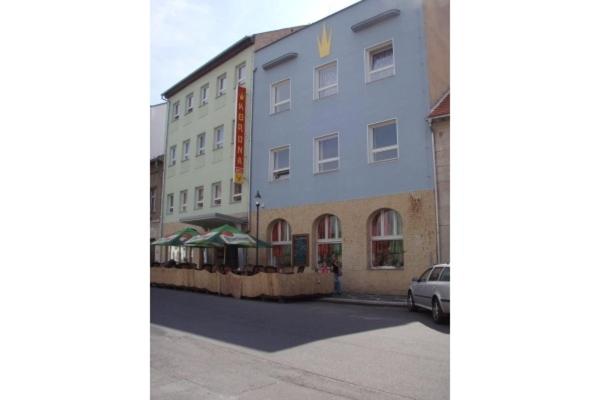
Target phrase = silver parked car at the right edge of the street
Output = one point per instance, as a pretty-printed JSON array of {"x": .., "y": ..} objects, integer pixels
[{"x": 432, "y": 292}]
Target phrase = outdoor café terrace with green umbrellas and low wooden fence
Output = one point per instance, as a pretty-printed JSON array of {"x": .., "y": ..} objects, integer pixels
[{"x": 248, "y": 280}]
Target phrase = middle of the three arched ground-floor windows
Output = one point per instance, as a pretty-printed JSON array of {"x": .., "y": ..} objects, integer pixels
[{"x": 329, "y": 241}]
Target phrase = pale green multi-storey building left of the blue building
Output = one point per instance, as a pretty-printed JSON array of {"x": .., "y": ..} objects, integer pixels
[{"x": 199, "y": 190}]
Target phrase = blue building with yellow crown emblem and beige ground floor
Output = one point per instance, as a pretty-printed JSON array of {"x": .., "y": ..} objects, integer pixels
[{"x": 341, "y": 147}]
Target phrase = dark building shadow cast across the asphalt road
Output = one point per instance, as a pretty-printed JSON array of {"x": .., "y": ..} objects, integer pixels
[{"x": 271, "y": 326}]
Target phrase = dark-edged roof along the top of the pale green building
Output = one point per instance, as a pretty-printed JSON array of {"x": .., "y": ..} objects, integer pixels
[{"x": 260, "y": 39}]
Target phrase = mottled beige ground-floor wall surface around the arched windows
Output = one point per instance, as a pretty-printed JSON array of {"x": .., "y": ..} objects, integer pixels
[{"x": 418, "y": 218}]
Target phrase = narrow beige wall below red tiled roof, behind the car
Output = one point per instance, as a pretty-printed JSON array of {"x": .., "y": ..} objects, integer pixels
[{"x": 441, "y": 129}]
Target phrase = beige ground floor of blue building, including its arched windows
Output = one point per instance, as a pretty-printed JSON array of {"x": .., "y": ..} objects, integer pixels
[{"x": 380, "y": 243}]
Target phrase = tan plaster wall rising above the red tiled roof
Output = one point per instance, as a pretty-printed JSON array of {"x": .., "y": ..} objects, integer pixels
[{"x": 437, "y": 34}]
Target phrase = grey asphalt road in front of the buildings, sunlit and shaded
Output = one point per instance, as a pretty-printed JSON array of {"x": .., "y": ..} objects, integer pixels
[{"x": 209, "y": 347}]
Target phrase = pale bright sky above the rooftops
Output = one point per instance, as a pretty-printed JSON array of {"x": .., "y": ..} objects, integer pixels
[{"x": 185, "y": 34}]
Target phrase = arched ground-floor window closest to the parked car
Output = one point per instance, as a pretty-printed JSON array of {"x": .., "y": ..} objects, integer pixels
[{"x": 387, "y": 245}]
